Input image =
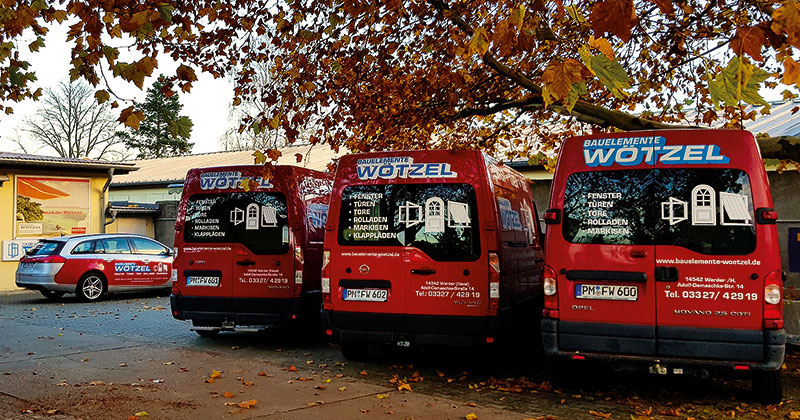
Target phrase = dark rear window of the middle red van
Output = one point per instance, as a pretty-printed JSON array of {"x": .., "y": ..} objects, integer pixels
[{"x": 440, "y": 220}]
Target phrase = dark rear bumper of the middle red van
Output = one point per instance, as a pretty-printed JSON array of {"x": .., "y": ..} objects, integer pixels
[{"x": 414, "y": 329}]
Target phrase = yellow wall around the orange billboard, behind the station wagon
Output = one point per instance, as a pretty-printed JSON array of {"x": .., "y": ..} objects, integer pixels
[{"x": 7, "y": 216}]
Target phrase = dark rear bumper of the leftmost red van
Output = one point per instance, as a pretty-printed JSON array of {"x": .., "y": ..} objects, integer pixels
[{"x": 214, "y": 311}]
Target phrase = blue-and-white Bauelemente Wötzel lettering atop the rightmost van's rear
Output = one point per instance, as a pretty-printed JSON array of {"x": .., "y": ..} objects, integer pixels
[{"x": 632, "y": 151}]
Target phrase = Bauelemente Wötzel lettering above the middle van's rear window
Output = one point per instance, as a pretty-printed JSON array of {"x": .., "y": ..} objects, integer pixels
[{"x": 401, "y": 167}]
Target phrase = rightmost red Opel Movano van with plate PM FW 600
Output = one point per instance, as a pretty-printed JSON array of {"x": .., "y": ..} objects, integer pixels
[{"x": 662, "y": 249}]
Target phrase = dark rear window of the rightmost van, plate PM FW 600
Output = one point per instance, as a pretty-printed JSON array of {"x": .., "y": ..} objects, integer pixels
[{"x": 709, "y": 211}]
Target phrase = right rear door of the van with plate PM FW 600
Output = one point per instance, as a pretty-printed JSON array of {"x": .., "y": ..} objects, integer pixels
[{"x": 706, "y": 273}]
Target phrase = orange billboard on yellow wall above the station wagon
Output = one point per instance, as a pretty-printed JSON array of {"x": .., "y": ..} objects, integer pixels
[{"x": 50, "y": 206}]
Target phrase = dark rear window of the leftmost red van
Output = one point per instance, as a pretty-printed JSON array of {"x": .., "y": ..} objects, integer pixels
[{"x": 257, "y": 220}]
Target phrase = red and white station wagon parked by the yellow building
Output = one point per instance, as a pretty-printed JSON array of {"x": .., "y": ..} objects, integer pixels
[{"x": 92, "y": 265}]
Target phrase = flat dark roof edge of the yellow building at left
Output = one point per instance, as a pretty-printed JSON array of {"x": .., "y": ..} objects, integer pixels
[{"x": 25, "y": 161}]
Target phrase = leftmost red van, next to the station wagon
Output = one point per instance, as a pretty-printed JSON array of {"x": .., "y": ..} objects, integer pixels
[{"x": 249, "y": 259}]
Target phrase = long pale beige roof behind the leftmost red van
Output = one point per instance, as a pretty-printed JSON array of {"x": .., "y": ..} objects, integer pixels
[{"x": 164, "y": 171}]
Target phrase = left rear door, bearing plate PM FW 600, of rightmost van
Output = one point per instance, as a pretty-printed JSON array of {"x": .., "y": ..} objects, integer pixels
[{"x": 607, "y": 298}]
